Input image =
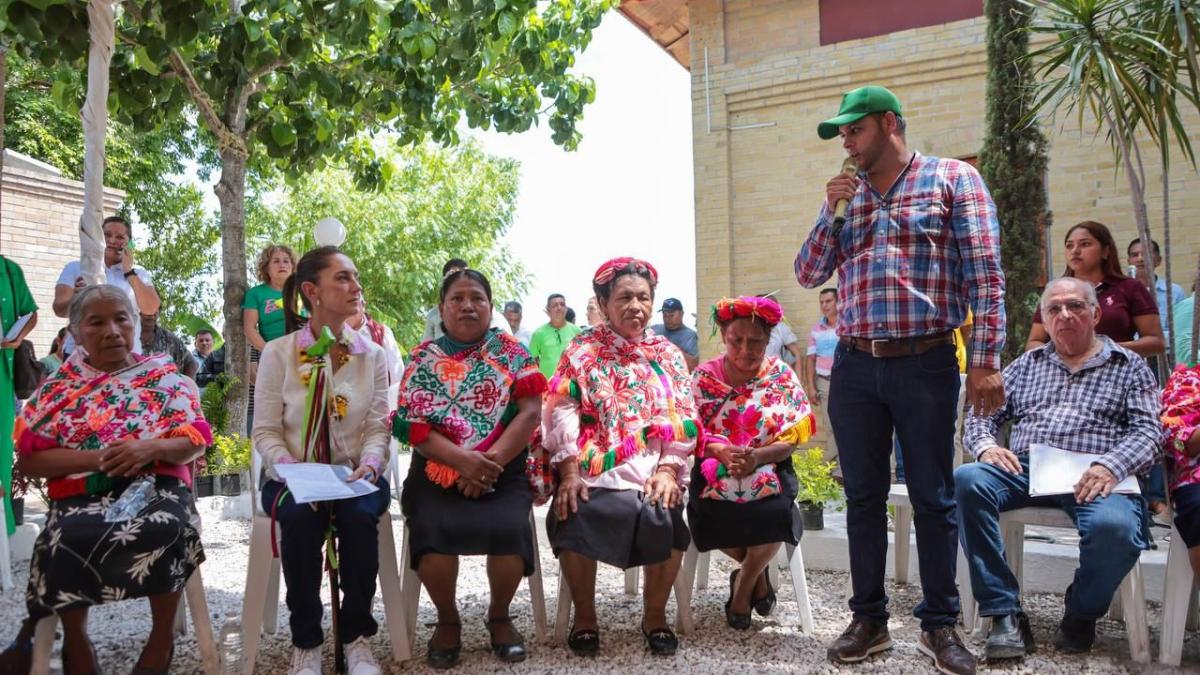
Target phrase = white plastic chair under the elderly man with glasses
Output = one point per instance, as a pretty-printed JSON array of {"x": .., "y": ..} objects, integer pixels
[{"x": 1131, "y": 599}]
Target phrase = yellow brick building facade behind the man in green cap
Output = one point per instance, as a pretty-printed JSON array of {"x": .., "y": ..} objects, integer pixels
[{"x": 760, "y": 169}]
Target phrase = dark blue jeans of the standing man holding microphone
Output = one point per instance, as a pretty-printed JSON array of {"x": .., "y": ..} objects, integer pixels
[{"x": 915, "y": 398}]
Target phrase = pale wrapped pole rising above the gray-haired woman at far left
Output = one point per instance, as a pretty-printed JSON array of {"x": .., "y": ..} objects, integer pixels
[{"x": 101, "y": 31}]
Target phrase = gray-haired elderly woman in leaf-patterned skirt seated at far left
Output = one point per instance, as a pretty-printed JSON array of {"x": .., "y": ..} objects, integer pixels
[{"x": 112, "y": 433}]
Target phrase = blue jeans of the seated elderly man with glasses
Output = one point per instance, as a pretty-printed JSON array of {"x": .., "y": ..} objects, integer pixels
[{"x": 1111, "y": 531}]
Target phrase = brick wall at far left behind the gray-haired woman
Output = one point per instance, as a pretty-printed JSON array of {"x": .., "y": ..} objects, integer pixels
[{"x": 40, "y": 231}]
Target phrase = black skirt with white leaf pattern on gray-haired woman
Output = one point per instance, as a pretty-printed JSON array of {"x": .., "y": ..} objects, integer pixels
[{"x": 82, "y": 561}]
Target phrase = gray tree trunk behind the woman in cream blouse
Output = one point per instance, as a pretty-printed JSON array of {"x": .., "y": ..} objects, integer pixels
[{"x": 232, "y": 195}]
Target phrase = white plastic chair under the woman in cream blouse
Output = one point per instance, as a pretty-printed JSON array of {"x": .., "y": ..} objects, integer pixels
[{"x": 261, "y": 602}]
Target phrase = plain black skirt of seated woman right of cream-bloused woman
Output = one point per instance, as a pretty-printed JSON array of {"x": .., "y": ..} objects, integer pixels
[{"x": 441, "y": 521}]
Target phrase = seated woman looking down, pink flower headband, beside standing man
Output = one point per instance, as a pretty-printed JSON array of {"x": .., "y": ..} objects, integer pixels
[{"x": 743, "y": 487}]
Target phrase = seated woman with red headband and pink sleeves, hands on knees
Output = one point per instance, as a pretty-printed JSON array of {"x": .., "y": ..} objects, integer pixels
[{"x": 620, "y": 423}]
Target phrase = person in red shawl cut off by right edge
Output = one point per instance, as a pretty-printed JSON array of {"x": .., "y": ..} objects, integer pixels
[{"x": 1181, "y": 419}]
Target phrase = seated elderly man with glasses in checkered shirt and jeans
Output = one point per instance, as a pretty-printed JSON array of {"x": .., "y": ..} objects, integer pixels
[{"x": 1082, "y": 393}]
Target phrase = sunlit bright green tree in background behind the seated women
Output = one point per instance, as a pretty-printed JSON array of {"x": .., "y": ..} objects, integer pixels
[{"x": 439, "y": 204}]
